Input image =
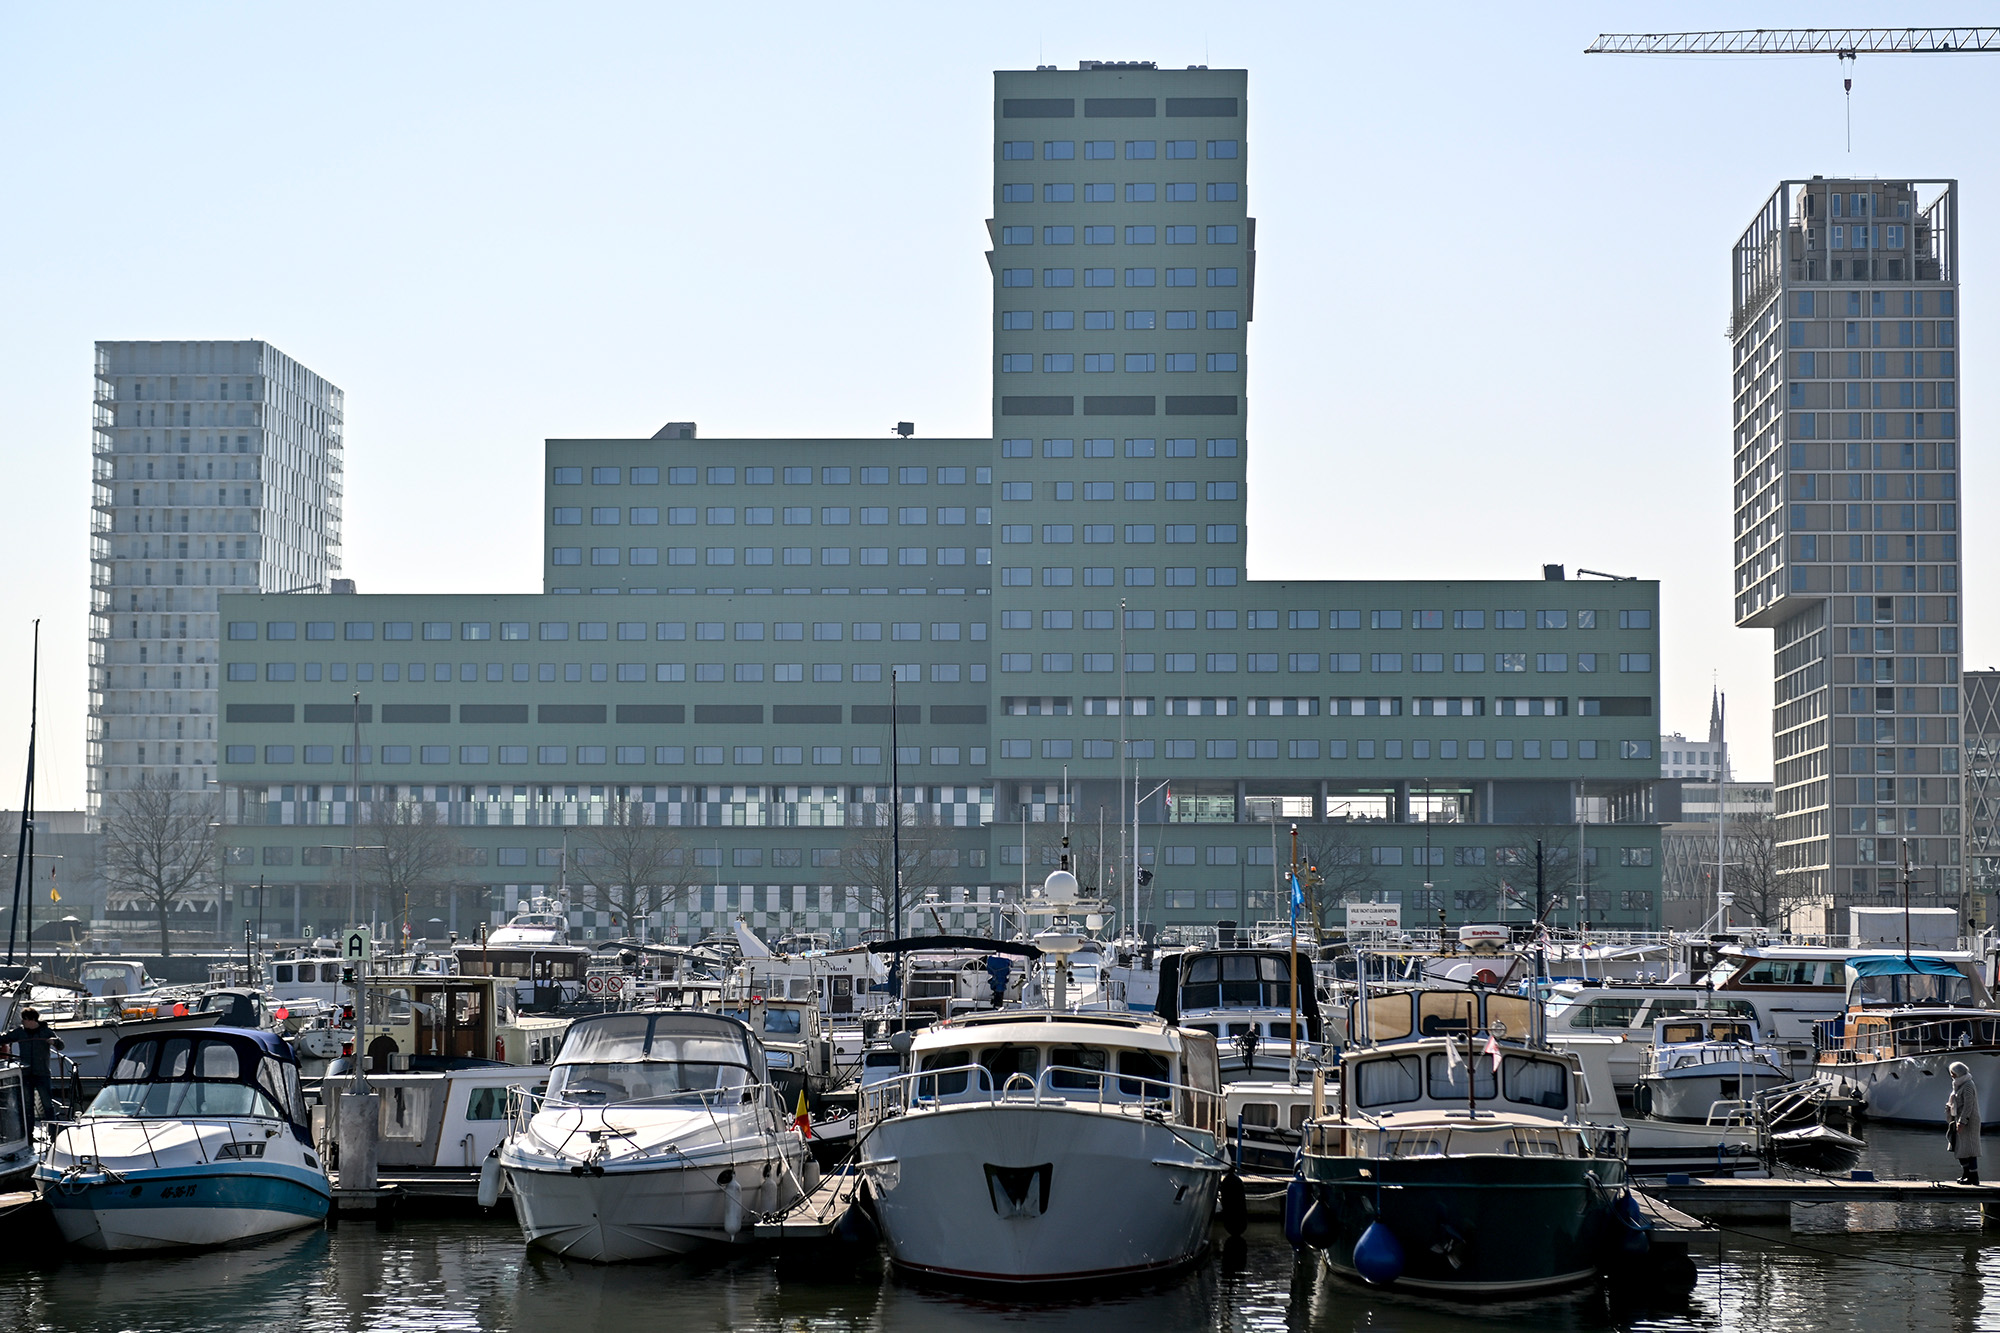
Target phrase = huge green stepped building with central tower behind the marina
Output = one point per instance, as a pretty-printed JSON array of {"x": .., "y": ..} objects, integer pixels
[{"x": 1063, "y": 609}]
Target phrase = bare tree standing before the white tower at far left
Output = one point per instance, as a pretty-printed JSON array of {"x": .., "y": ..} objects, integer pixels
[{"x": 161, "y": 850}]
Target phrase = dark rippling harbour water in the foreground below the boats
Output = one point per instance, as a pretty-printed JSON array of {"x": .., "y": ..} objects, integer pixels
[{"x": 1867, "y": 1270}]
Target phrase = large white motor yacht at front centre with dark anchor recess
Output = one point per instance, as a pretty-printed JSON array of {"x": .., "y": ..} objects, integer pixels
[{"x": 1047, "y": 1148}]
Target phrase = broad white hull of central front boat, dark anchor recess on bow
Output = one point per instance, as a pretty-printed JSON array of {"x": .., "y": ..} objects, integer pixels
[{"x": 1039, "y": 1194}]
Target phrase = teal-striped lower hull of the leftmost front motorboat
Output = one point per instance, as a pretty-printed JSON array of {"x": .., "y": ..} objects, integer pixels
[{"x": 187, "y": 1208}]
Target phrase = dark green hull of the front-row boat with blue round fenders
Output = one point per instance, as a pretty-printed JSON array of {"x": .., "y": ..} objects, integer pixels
[{"x": 1473, "y": 1228}]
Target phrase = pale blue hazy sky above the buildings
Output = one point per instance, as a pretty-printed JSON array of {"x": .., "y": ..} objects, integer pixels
[{"x": 1493, "y": 273}]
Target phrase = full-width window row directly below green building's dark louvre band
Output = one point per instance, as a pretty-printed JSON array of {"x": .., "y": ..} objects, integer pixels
[{"x": 939, "y": 756}]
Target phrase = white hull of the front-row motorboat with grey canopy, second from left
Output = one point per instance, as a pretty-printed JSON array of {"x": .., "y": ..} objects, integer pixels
[{"x": 647, "y": 1214}]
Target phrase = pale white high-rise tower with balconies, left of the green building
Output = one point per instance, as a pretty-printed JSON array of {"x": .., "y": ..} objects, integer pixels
[{"x": 217, "y": 467}]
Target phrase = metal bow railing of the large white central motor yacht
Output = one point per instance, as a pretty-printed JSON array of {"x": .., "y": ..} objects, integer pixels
[{"x": 1055, "y": 1086}]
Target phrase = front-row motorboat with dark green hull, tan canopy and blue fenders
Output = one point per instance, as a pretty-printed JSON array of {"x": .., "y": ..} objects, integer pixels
[{"x": 1457, "y": 1160}]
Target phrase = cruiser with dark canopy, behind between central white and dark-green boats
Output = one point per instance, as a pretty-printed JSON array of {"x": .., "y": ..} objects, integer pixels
[{"x": 1243, "y": 1000}]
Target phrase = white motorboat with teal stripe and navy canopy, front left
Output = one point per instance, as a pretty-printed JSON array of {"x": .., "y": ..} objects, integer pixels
[{"x": 201, "y": 1138}]
